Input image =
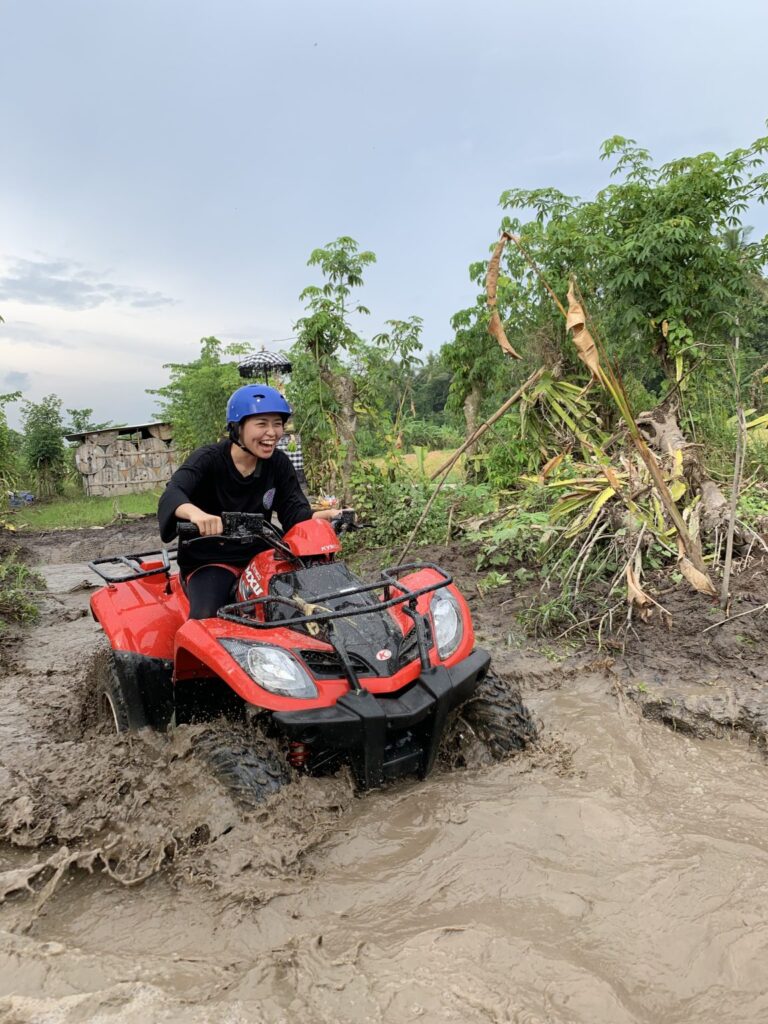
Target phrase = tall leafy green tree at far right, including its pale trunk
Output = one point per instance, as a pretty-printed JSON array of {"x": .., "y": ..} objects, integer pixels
[{"x": 669, "y": 277}]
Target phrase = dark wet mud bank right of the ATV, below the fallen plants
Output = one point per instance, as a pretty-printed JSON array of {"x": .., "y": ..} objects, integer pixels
[{"x": 691, "y": 670}]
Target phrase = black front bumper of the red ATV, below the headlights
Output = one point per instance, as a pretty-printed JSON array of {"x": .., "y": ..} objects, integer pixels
[{"x": 388, "y": 737}]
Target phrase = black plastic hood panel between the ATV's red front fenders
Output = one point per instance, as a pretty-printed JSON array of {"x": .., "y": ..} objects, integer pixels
[{"x": 363, "y": 636}]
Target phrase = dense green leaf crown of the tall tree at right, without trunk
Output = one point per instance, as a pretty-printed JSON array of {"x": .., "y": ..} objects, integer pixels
[{"x": 654, "y": 254}]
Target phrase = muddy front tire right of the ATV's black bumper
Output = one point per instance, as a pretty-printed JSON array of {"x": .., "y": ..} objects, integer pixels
[{"x": 494, "y": 726}]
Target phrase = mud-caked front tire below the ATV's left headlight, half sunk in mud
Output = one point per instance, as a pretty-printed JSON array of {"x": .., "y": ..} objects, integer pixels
[{"x": 248, "y": 765}]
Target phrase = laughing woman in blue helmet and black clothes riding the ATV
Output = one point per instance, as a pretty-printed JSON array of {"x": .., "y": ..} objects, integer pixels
[{"x": 244, "y": 474}]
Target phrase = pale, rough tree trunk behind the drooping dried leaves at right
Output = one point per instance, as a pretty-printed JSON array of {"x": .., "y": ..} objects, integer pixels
[{"x": 662, "y": 432}]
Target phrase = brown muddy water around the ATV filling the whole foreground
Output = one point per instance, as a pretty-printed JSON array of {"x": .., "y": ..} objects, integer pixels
[{"x": 618, "y": 874}]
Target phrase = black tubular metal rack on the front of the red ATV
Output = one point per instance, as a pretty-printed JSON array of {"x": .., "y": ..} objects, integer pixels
[{"x": 242, "y": 613}]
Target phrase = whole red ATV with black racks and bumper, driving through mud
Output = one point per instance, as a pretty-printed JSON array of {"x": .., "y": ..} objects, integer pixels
[{"x": 318, "y": 667}]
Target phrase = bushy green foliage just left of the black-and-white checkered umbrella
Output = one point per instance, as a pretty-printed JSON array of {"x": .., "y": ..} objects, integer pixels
[{"x": 195, "y": 399}]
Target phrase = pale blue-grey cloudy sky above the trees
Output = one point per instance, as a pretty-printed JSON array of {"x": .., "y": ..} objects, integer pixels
[{"x": 167, "y": 166}]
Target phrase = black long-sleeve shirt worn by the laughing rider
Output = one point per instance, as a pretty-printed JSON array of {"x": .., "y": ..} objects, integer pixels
[{"x": 210, "y": 480}]
